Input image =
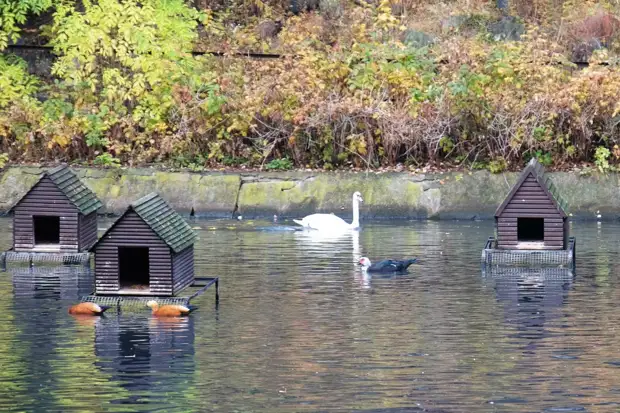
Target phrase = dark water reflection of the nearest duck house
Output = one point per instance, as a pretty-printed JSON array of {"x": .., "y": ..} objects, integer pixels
[{"x": 147, "y": 356}]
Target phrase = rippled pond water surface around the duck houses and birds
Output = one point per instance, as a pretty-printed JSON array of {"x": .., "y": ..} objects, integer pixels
[{"x": 298, "y": 328}]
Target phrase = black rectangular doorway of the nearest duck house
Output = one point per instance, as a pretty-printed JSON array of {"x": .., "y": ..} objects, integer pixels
[{"x": 133, "y": 268}]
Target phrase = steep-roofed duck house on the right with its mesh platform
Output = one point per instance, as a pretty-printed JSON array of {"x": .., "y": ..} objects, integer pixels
[{"x": 531, "y": 224}]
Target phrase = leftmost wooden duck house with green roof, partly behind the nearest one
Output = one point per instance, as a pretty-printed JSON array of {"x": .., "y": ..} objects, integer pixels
[{"x": 57, "y": 215}]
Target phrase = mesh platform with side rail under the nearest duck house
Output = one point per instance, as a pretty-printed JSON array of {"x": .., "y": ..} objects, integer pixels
[{"x": 200, "y": 285}]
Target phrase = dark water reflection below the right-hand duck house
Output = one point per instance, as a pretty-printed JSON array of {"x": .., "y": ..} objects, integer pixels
[{"x": 531, "y": 298}]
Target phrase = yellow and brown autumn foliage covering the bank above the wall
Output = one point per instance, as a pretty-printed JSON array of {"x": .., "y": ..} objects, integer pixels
[{"x": 359, "y": 84}]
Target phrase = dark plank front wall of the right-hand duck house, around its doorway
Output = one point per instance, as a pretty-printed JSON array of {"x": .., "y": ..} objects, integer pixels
[{"x": 531, "y": 201}]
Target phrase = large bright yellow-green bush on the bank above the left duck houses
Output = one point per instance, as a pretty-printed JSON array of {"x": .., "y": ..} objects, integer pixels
[{"x": 127, "y": 58}]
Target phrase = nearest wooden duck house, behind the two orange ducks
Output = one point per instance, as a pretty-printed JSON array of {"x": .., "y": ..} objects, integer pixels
[{"x": 148, "y": 251}]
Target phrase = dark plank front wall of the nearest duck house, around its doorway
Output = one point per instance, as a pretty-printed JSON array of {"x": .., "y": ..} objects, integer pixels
[{"x": 132, "y": 231}]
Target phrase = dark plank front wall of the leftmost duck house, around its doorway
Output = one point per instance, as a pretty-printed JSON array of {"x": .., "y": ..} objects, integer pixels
[{"x": 45, "y": 199}]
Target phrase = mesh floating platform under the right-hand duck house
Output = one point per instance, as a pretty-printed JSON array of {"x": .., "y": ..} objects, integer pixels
[{"x": 493, "y": 257}]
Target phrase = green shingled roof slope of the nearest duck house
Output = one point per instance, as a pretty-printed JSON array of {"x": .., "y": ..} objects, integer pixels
[{"x": 166, "y": 223}]
